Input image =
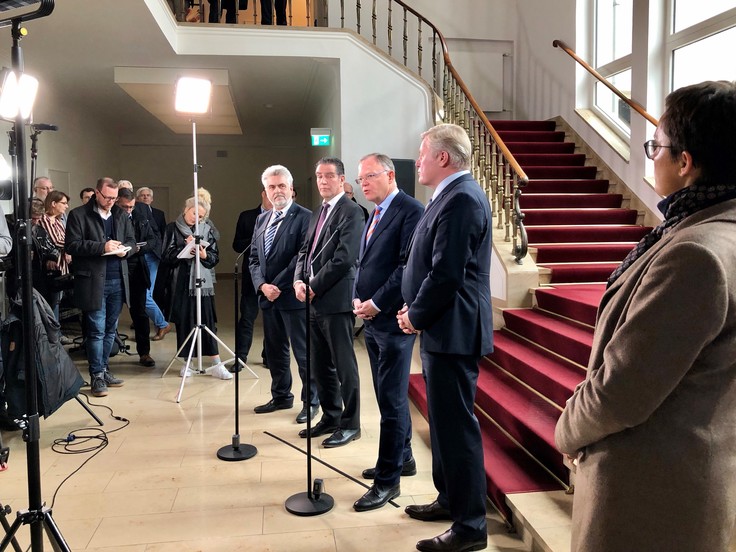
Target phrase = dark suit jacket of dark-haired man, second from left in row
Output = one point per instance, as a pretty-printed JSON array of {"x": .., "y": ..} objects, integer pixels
[{"x": 335, "y": 258}]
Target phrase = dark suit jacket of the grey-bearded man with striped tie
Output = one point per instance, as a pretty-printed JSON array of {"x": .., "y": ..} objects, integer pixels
[{"x": 278, "y": 268}]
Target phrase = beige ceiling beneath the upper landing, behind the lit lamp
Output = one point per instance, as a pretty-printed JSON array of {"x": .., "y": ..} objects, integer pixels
[{"x": 84, "y": 46}]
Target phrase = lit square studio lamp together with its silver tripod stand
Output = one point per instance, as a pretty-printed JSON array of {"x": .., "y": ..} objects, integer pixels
[{"x": 193, "y": 97}]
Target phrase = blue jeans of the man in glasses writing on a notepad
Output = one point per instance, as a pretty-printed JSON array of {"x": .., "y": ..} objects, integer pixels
[{"x": 102, "y": 325}]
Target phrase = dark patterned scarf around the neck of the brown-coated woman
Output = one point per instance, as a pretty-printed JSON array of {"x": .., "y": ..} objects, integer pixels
[{"x": 676, "y": 208}]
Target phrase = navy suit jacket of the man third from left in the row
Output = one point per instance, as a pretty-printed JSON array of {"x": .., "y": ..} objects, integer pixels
[{"x": 381, "y": 261}]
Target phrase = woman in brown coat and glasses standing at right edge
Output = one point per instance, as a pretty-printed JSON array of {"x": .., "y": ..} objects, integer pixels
[{"x": 653, "y": 426}]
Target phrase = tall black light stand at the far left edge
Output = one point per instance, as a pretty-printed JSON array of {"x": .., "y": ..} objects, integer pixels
[{"x": 37, "y": 515}]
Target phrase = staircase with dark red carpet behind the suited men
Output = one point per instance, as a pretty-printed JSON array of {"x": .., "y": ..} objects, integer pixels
[{"x": 578, "y": 234}]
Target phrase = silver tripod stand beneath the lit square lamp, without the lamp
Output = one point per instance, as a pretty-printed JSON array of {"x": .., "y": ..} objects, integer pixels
[{"x": 195, "y": 335}]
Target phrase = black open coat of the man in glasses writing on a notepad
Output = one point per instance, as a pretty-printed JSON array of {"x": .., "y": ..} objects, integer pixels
[{"x": 85, "y": 242}]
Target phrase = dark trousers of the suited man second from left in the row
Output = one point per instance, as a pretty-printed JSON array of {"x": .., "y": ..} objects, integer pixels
[{"x": 335, "y": 368}]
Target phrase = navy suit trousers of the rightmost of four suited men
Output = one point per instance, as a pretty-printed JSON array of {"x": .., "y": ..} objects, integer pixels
[{"x": 457, "y": 449}]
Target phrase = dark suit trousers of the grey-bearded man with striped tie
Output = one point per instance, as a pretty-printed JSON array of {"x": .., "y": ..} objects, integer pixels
[{"x": 280, "y": 328}]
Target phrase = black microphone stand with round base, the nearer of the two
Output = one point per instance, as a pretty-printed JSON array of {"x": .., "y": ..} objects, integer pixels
[{"x": 314, "y": 502}]
